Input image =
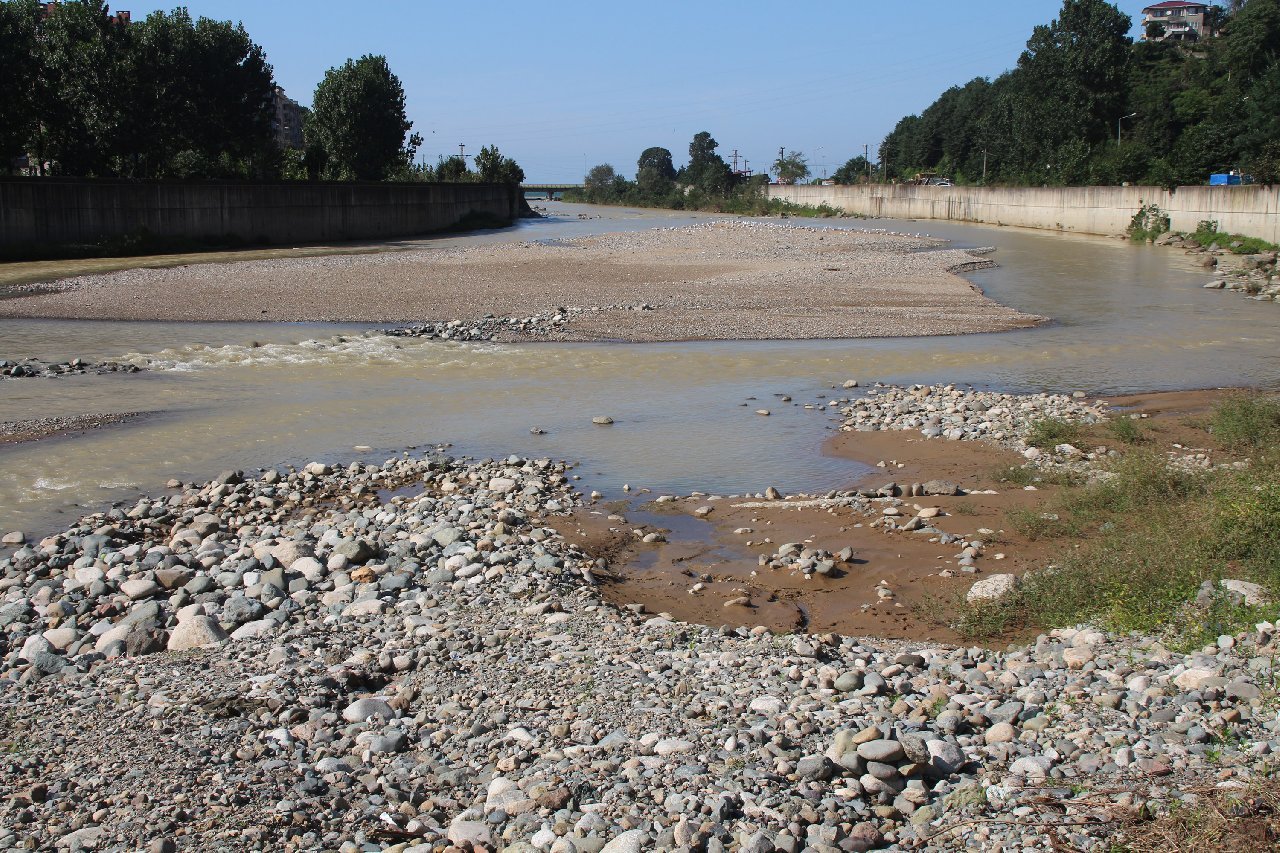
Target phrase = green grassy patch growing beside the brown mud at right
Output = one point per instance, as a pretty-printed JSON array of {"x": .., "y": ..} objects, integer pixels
[{"x": 1136, "y": 546}]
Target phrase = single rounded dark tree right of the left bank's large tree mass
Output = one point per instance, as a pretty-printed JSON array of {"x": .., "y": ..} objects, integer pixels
[{"x": 359, "y": 120}]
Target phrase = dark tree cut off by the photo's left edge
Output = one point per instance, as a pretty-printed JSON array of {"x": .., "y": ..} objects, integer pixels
[{"x": 20, "y": 70}]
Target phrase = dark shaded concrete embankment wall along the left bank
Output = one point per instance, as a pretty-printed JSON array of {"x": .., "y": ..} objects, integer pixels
[{"x": 48, "y": 213}]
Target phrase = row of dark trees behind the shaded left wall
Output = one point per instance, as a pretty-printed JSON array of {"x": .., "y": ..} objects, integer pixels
[{"x": 92, "y": 94}]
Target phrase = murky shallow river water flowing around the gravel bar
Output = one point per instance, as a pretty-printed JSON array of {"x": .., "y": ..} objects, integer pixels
[{"x": 1126, "y": 320}]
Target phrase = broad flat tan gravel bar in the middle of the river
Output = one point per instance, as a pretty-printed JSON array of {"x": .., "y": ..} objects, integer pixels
[{"x": 721, "y": 281}]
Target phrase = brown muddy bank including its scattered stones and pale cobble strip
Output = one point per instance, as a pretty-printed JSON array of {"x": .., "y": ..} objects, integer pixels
[{"x": 893, "y": 554}]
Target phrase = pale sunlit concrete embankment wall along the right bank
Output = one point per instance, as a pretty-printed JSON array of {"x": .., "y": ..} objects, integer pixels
[{"x": 1254, "y": 212}]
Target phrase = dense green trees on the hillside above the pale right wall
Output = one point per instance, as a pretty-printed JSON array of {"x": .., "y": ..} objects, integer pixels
[{"x": 1089, "y": 106}]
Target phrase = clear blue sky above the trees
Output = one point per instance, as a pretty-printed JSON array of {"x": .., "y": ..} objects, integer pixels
[{"x": 564, "y": 85}]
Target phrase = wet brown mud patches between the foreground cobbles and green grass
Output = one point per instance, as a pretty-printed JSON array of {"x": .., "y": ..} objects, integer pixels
[{"x": 710, "y": 551}]
